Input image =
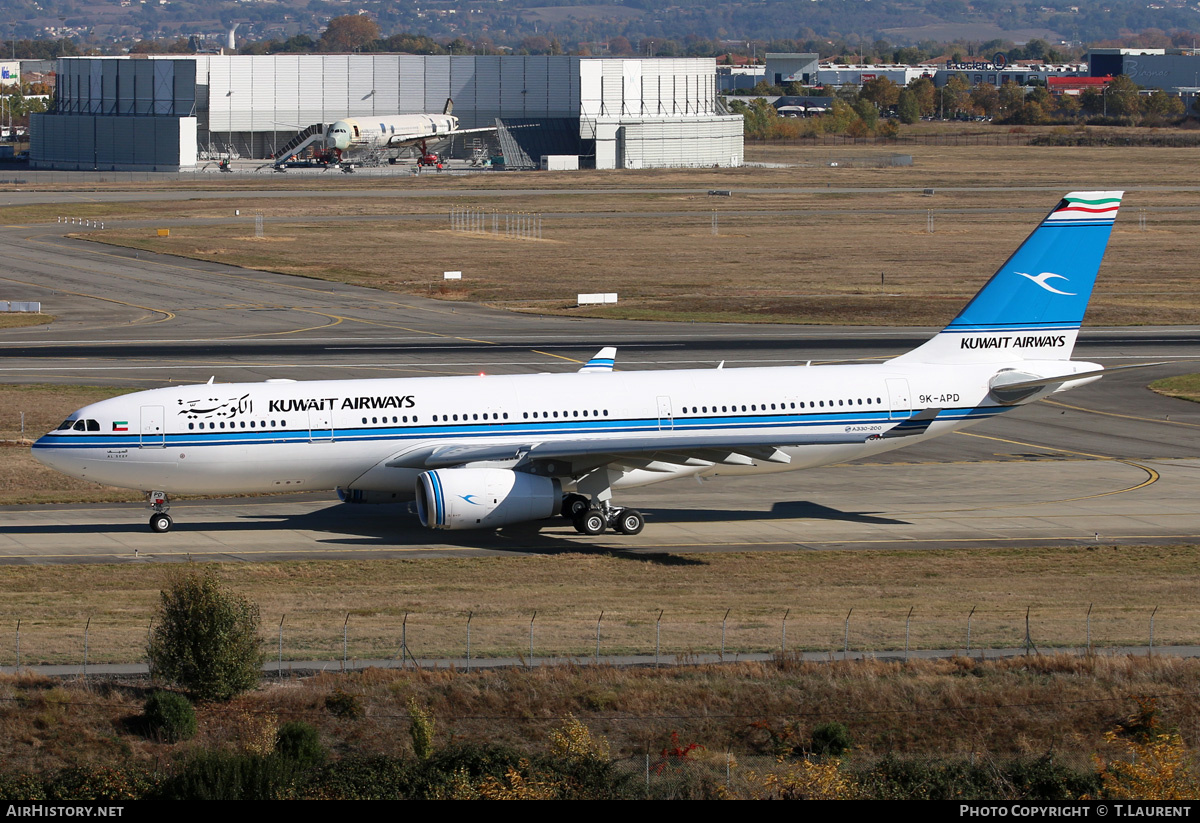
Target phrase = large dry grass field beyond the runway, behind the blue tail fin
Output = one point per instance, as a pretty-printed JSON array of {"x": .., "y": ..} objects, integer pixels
[{"x": 784, "y": 251}]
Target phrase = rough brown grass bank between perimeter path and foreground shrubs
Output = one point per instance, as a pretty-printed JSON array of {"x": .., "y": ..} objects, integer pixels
[{"x": 956, "y": 708}]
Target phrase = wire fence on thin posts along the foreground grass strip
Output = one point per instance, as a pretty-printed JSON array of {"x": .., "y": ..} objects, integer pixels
[{"x": 656, "y": 639}]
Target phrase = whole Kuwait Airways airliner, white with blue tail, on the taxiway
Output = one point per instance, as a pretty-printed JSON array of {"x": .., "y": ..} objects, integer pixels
[{"x": 489, "y": 452}]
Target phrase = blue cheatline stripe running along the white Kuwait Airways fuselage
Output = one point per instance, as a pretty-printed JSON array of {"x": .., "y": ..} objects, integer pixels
[{"x": 709, "y": 424}]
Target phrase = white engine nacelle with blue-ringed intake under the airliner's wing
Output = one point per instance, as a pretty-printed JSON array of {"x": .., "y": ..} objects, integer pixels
[{"x": 484, "y": 498}]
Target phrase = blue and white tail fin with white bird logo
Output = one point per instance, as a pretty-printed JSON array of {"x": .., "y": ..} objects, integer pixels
[{"x": 1034, "y": 305}]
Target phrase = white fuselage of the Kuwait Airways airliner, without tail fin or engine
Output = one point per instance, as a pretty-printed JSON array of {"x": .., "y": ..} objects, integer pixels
[{"x": 292, "y": 436}]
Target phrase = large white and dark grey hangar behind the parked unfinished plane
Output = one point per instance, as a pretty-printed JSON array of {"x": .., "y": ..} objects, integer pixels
[{"x": 167, "y": 113}]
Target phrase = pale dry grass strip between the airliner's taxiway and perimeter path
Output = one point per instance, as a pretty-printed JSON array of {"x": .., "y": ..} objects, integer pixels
[{"x": 569, "y": 593}]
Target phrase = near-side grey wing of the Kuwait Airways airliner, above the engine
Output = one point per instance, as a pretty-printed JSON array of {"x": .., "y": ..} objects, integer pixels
[{"x": 669, "y": 448}]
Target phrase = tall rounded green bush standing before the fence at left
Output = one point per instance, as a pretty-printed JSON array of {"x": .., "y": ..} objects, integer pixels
[{"x": 206, "y": 640}]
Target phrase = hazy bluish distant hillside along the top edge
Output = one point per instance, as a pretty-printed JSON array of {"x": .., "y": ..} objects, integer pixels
[{"x": 700, "y": 27}]
